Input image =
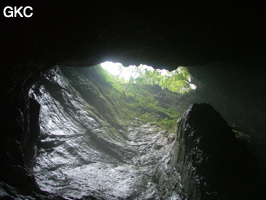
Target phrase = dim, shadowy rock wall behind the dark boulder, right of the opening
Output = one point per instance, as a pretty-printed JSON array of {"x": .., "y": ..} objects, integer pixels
[{"x": 239, "y": 97}]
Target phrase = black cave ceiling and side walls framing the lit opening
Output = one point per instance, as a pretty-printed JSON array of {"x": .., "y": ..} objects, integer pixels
[{"x": 222, "y": 43}]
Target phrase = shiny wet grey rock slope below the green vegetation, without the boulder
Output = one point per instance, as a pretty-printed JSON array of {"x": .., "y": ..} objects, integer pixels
[{"x": 81, "y": 154}]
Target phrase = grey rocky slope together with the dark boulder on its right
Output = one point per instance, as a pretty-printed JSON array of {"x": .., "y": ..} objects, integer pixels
[{"x": 87, "y": 148}]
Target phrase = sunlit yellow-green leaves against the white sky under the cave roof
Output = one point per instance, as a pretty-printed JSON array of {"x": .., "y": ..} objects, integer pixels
[{"x": 177, "y": 81}]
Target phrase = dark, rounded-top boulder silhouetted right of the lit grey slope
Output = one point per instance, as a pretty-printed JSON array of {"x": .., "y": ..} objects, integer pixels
[{"x": 212, "y": 163}]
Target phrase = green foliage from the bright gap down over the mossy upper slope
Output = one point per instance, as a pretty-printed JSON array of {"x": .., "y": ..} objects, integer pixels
[{"x": 151, "y": 95}]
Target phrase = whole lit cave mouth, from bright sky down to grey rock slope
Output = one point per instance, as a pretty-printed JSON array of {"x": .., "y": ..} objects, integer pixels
[{"x": 108, "y": 128}]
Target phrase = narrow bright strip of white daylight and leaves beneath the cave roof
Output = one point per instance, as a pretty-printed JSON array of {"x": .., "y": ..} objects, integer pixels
[{"x": 178, "y": 80}]
